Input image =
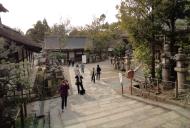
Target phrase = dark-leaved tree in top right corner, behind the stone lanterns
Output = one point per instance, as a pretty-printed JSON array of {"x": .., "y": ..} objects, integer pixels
[{"x": 169, "y": 12}]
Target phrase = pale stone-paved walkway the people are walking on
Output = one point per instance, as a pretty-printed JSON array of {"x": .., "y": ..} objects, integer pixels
[{"x": 103, "y": 107}]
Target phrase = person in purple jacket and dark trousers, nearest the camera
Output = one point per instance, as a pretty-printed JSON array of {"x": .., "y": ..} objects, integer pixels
[{"x": 64, "y": 87}]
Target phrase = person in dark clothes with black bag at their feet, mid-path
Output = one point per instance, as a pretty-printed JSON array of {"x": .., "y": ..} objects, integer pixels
[{"x": 79, "y": 83}]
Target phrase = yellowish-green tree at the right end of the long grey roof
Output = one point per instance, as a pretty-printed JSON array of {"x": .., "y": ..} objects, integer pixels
[{"x": 101, "y": 33}]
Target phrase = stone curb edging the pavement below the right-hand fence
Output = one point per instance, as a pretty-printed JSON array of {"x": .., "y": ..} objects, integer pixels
[{"x": 177, "y": 109}]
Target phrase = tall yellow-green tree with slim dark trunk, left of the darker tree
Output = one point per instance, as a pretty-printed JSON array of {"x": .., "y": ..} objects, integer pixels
[{"x": 137, "y": 17}]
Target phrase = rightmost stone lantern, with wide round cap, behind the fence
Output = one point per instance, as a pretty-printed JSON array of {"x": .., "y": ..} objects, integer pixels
[{"x": 181, "y": 69}]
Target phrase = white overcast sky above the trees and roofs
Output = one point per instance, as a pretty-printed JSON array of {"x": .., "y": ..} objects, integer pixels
[{"x": 23, "y": 14}]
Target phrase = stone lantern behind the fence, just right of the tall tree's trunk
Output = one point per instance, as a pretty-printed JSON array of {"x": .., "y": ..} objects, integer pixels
[{"x": 166, "y": 63}]
